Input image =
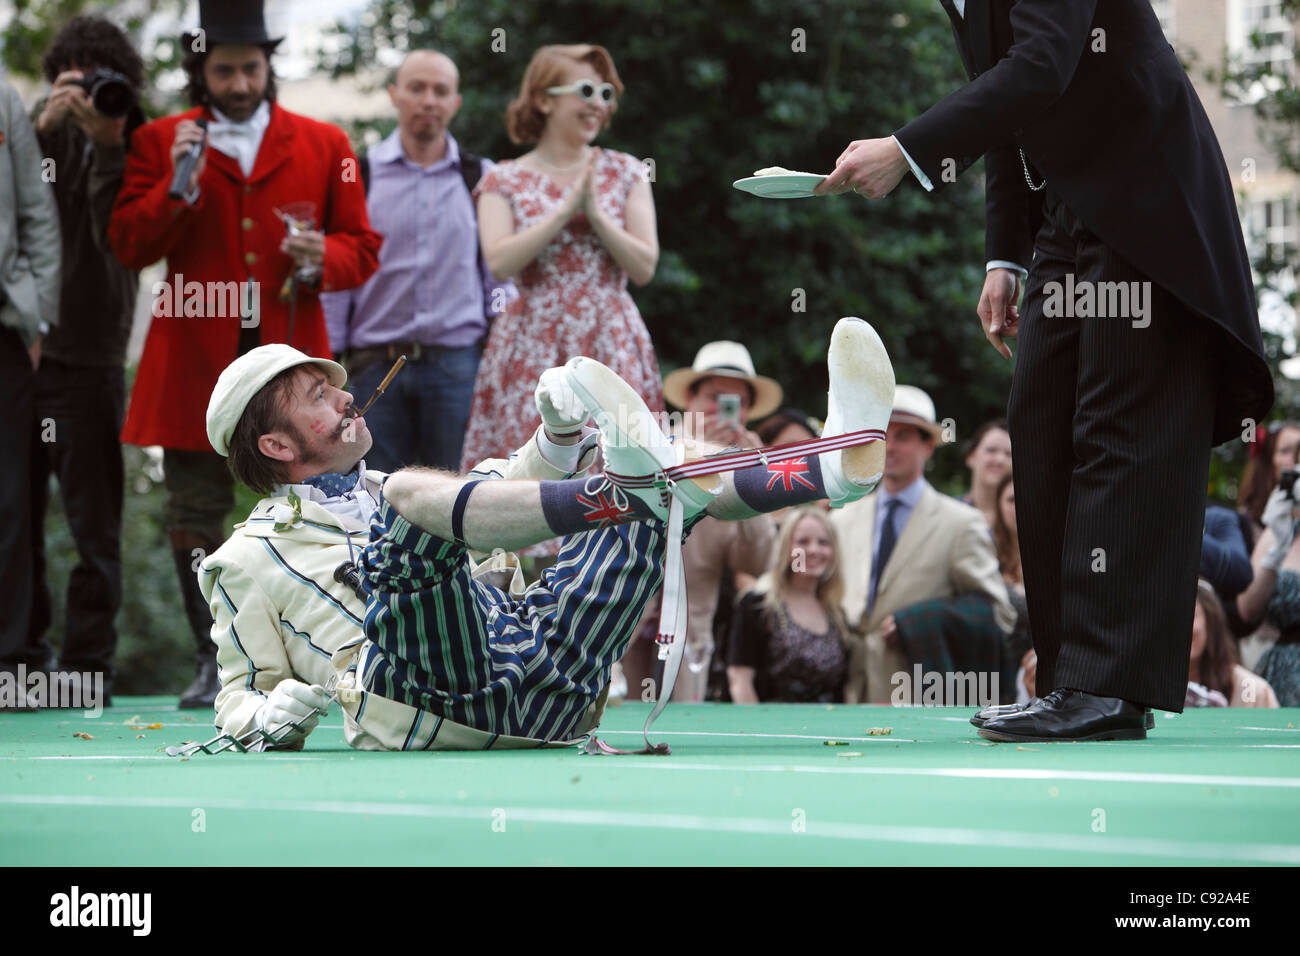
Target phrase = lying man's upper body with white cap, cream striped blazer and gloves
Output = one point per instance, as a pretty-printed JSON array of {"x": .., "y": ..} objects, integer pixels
[{"x": 288, "y": 431}]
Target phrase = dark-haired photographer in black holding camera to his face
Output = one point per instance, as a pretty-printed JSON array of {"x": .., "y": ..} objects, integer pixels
[{"x": 84, "y": 128}]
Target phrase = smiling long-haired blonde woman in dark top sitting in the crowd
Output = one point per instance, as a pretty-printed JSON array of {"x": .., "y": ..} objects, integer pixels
[{"x": 790, "y": 642}]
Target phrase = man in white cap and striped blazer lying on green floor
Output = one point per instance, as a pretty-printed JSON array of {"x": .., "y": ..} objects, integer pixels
[{"x": 447, "y": 655}]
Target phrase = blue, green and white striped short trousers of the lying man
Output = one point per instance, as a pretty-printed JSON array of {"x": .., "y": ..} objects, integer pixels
[{"x": 454, "y": 646}]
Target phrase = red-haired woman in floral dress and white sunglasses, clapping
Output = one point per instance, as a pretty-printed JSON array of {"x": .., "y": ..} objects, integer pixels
[{"x": 571, "y": 224}]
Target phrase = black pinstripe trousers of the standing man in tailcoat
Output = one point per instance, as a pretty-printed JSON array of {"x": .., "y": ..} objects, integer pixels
[{"x": 1111, "y": 421}]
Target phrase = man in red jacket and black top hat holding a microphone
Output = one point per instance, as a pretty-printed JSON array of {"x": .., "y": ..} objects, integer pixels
[{"x": 228, "y": 258}]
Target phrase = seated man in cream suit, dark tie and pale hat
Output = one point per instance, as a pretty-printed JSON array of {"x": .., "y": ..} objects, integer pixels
[{"x": 931, "y": 547}]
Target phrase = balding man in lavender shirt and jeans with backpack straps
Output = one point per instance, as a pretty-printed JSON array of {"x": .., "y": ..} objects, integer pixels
[{"x": 432, "y": 295}]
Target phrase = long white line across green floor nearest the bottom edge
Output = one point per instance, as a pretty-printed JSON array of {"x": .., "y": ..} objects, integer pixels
[{"x": 868, "y": 833}]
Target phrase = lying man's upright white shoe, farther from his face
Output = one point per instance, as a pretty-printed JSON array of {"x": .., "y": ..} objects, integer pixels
[{"x": 861, "y": 397}]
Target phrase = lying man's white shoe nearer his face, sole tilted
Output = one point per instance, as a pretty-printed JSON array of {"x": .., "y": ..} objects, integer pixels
[{"x": 632, "y": 443}]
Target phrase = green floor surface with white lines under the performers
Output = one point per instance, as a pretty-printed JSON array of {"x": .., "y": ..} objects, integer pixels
[{"x": 743, "y": 786}]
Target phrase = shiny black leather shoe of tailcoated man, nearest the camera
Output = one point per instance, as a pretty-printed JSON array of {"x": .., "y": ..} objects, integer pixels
[{"x": 1068, "y": 715}]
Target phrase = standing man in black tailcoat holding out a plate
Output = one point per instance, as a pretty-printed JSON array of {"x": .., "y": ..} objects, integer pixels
[{"x": 1139, "y": 347}]
